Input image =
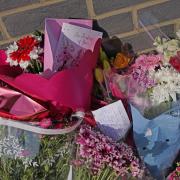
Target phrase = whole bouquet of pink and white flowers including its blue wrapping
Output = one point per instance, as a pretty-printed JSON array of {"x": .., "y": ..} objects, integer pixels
[{"x": 151, "y": 85}]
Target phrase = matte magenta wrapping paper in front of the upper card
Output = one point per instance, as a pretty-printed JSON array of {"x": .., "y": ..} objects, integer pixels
[{"x": 70, "y": 88}]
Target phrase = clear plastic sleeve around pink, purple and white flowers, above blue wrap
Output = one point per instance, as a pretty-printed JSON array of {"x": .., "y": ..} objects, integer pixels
[{"x": 152, "y": 83}]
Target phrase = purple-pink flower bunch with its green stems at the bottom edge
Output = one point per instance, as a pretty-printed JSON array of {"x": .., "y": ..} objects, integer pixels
[{"x": 100, "y": 155}]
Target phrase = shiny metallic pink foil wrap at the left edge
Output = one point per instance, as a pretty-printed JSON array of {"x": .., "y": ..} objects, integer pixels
[{"x": 15, "y": 105}]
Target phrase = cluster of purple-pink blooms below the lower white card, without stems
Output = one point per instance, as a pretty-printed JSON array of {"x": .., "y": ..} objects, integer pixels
[{"x": 99, "y": 151}]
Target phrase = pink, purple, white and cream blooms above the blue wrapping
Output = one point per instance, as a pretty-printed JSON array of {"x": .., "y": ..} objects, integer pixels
[{"x": 152, "y": 82}]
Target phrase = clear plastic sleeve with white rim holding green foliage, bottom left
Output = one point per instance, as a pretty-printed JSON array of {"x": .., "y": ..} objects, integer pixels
[{"x": 35, "y": 153}]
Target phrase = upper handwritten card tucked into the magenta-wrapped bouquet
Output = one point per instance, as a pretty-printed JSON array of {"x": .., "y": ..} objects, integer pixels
[{"x": 73, "y": 42}]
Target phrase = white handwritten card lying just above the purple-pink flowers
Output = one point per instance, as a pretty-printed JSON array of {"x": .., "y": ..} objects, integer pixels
[{"x": 113, "y": 120}]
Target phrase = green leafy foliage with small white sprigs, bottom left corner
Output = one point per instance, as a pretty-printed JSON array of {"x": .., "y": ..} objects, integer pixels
[{"x": 52, "y": 162}]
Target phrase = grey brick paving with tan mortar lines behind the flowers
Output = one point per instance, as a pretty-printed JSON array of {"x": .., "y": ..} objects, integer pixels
[{"x": 127, "y": 19}]
